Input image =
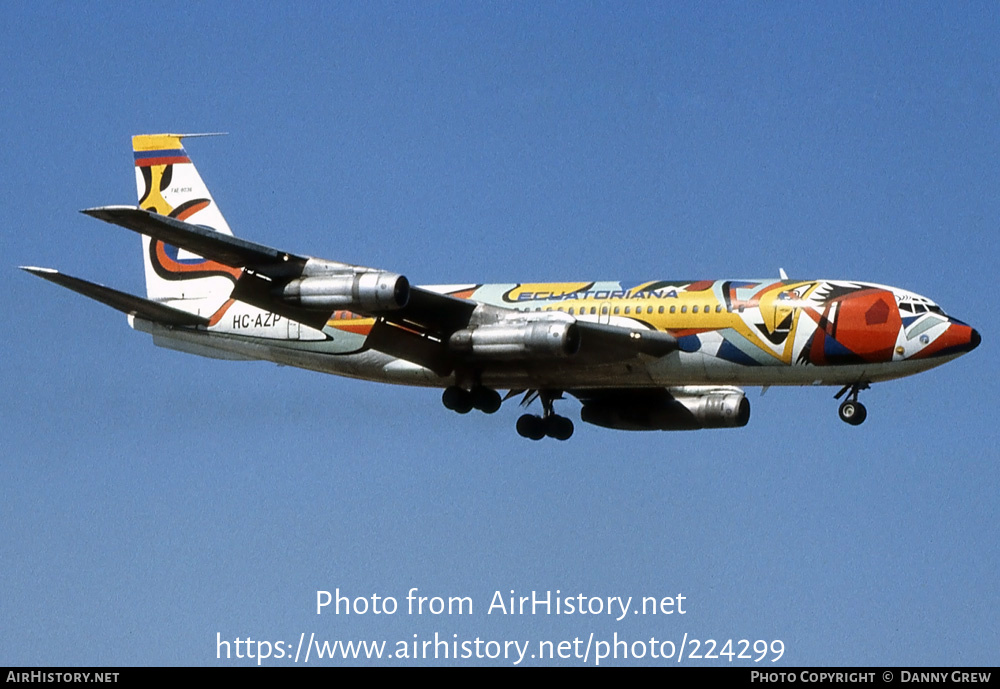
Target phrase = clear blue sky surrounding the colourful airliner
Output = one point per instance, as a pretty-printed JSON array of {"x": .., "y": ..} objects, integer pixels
[{"x": 152, "y": 499}]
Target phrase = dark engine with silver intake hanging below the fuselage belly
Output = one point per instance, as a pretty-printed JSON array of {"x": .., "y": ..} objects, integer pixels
[{"x": 683, "y": 412}]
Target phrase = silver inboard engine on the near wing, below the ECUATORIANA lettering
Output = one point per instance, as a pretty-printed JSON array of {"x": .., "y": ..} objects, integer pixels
[{"x": 507, "y": 341}]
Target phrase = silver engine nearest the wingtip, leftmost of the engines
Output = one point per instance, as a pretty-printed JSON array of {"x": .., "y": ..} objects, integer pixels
[{"x": 368, "y": 292}]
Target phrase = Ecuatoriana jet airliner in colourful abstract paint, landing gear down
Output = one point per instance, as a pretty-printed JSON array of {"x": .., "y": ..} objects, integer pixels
[{"x": 653, "y": 355}]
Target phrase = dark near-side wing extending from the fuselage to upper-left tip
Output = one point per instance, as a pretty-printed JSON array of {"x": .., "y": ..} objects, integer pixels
[{"x": 416, "y": 329}]
